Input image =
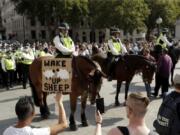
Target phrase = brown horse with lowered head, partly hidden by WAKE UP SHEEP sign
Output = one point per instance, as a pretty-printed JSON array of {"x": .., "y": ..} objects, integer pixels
[{"x": 86, "y": 81}]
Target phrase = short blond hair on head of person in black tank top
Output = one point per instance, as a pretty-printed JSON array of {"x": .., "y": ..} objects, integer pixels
[{"x": 138, "y": 104}]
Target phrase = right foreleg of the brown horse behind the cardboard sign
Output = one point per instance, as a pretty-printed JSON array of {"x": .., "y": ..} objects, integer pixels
[{"x": 83, "y": 107}]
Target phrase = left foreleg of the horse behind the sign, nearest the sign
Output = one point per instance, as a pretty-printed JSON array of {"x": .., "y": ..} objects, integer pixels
[{"x": 73, "y": 100}]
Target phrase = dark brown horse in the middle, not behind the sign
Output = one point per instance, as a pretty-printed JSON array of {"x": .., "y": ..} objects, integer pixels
[{"x": 125, "y": 68}]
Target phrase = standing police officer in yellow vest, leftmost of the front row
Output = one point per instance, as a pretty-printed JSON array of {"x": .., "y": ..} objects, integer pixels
[{"x": 8, "y": 66}]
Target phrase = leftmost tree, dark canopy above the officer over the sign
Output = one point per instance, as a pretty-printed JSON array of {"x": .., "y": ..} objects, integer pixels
[{"x": 58, "y": 10}]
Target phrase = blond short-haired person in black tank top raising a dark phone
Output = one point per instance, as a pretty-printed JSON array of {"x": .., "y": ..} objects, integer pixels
[{"x": 136, "y": 108}]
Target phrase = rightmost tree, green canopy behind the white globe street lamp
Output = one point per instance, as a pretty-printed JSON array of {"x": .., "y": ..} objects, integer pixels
[{"x": 166, "y": 9}]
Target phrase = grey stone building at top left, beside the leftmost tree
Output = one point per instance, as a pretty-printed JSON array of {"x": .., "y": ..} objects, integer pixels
[{"x": 19, "y": 27}]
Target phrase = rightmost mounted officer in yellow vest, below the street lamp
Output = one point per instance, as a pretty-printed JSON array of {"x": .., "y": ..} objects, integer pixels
[{"x": 162, "y": 39}]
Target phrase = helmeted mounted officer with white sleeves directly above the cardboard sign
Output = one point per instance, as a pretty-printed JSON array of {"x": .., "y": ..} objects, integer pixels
[{"x": 63, "y": 42}]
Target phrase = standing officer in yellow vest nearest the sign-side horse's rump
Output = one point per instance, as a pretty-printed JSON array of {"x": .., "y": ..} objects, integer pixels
[{"x": 27, "y": 59}]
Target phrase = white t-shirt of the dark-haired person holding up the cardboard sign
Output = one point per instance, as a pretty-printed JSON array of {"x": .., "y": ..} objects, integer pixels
[{"x": 26, "y": 131}]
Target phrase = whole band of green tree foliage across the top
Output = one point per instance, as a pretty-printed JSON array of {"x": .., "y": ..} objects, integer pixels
[{"x": 125, "y": 14}]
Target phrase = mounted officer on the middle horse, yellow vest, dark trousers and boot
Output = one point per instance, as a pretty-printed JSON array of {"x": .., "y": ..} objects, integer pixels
[{"x": 116, "y": 48}]
